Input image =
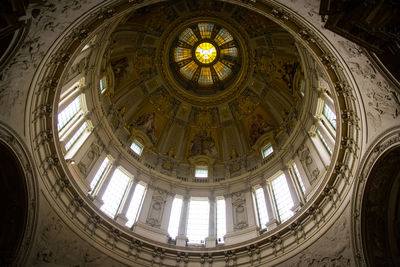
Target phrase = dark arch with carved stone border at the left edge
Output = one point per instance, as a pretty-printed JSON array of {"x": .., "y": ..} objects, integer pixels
[{"x": 18, "y": 192}]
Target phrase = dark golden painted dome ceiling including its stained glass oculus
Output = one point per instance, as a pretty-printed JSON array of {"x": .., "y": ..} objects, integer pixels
[{"x": 202, "y": 79}]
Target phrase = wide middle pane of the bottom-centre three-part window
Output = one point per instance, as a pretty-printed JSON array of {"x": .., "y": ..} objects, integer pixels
[{"x": 197, "y": 226}]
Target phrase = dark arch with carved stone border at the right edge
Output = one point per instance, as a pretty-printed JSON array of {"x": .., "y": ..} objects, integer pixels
[{"x": 374, "y": 203}]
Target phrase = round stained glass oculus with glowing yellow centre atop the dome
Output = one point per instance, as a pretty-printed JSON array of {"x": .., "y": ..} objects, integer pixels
[{"x": 205, "y": 55}]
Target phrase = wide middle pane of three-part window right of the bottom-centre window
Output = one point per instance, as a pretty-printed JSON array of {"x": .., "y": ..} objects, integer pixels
[{"x": 282, "y": 197}]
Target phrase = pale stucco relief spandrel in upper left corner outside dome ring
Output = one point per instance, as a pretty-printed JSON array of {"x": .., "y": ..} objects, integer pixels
[{"x": 46, "y": 21}]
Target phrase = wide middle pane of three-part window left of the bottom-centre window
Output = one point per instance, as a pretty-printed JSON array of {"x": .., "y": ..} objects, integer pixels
[{"x": 114, "y": 192}]
